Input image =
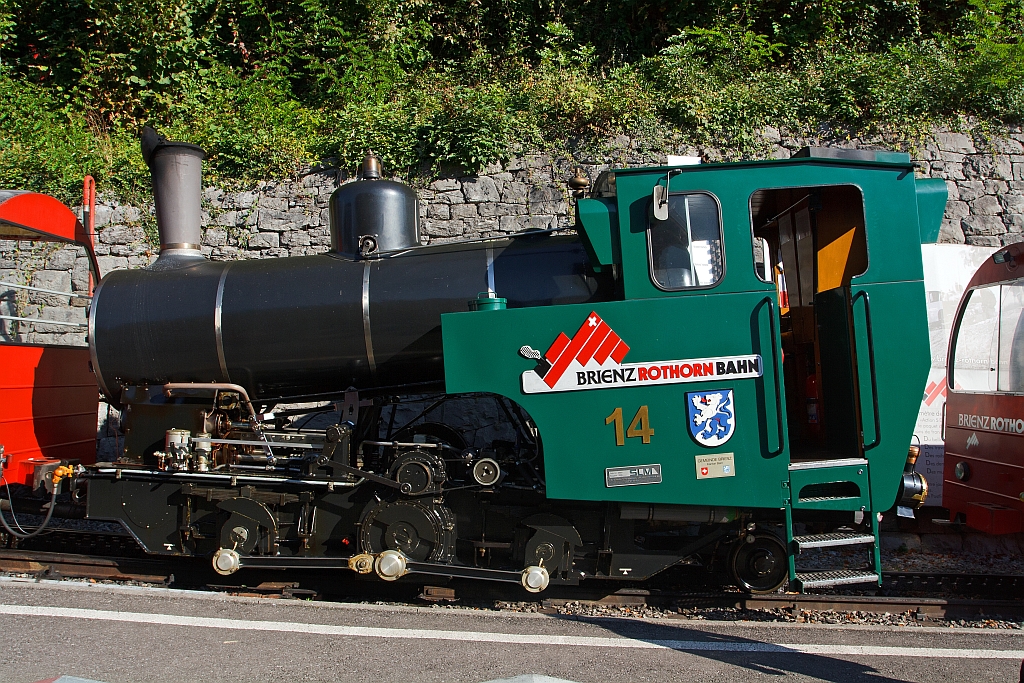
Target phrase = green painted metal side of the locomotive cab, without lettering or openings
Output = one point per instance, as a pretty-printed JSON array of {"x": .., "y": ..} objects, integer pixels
[{"x": 736, "y": 318}]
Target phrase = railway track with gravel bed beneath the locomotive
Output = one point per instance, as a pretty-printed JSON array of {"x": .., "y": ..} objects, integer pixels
[{"x": 926, "y": 595}]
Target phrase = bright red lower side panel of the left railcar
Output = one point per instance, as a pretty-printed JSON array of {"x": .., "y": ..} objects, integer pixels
[{"x": 50, "y": 401}]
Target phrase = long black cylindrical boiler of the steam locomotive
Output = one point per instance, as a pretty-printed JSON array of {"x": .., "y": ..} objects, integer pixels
[{"x": 295, "y": 326}]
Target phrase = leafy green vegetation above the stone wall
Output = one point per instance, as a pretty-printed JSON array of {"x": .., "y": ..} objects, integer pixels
[{"x": 267, "y": 88}]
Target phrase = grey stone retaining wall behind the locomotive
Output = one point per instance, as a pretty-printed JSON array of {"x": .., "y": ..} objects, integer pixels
[{"x": 986, "y": 179}]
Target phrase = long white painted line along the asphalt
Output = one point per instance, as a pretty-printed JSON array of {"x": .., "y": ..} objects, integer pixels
[{"x": 506, "y": 638}]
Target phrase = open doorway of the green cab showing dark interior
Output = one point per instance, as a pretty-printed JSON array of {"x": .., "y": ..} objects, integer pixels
[{"x": 816, "y": 243}]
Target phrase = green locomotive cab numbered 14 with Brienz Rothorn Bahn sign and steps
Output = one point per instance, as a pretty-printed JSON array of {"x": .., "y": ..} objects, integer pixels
[{"x": 772, "y": 344}]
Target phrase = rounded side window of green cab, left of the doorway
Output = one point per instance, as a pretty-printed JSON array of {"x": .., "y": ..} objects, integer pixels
[{"x": 687, "y": 250}]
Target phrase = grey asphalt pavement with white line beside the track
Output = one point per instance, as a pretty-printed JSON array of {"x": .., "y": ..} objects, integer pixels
[{"x": 120, "y": 634}]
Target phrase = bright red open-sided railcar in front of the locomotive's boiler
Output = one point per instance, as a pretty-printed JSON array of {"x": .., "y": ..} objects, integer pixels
[{"x": 49, "y": 396}]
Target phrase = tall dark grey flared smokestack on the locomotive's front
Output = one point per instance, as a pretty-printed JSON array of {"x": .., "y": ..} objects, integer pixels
[{"x": 178, "y": 192}]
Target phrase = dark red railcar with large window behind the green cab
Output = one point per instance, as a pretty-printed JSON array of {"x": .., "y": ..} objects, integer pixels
[{"x": 984, "y": 475}]
